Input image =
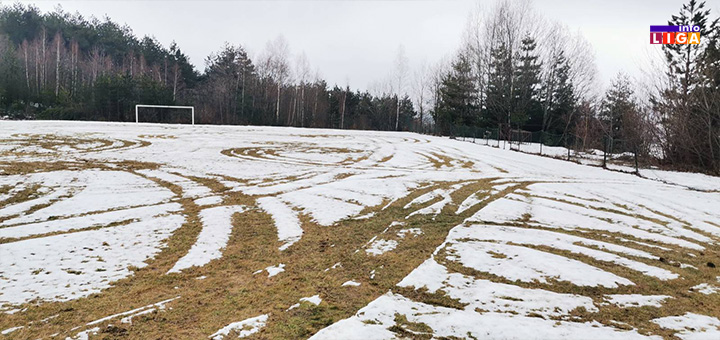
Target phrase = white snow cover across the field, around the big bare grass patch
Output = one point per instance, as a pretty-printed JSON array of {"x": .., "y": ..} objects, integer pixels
[{"x": 554, "y": 228}]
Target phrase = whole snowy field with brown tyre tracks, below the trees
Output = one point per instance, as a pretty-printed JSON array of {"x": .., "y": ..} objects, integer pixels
[{"x": 166, "y": 231}]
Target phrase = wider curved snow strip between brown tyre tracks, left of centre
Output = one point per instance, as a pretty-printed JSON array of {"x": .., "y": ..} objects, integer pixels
[{"x": 217, "y": 226}]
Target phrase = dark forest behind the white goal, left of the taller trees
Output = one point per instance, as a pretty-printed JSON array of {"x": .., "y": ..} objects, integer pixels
[{"x": 60, "y": 65}]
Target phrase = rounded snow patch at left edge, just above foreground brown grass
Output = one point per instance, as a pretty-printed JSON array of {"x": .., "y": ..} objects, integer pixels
[{"x": 69, "y": 266}]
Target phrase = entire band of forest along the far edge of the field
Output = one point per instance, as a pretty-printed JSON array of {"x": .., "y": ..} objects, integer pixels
[{"x": 515, "y": 74}]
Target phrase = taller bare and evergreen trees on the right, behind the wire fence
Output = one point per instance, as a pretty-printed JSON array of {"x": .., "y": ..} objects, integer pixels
[{"x": 518, "y": 72}]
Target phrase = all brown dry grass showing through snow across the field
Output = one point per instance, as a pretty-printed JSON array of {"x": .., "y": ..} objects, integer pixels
[{"x": 231, "y": 292}]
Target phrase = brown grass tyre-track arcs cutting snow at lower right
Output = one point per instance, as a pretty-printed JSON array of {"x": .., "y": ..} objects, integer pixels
[{"x": 683, "y": 299}]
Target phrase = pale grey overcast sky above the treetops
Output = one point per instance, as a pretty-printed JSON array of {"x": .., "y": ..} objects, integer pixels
[{"x": 356, "y": 41}]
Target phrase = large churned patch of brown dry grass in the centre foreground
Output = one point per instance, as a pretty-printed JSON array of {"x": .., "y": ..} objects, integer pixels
[{"x": 231, "y": 292}]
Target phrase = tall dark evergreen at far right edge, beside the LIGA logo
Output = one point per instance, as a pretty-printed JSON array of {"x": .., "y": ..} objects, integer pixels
[{"x": 688, "y": 107}]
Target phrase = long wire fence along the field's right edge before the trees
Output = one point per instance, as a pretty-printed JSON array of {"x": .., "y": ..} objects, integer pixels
[{"x": 602, "y": 151}]
